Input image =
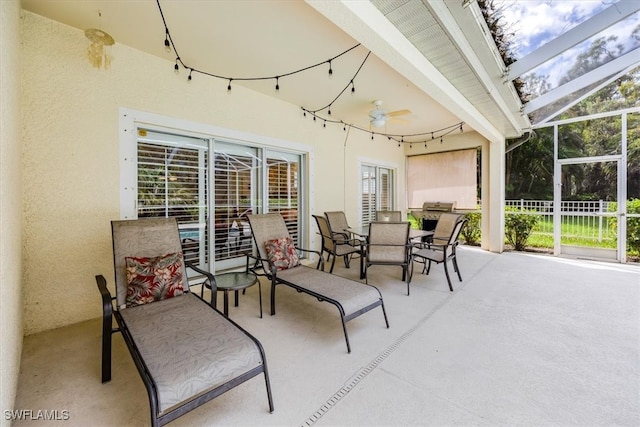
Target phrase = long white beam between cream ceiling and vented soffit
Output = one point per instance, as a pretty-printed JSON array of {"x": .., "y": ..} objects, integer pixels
[{"x": 366, "y": 24}]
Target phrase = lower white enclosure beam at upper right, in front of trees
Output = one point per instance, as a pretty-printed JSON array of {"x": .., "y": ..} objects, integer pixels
[{"x": 623, "y": 62}]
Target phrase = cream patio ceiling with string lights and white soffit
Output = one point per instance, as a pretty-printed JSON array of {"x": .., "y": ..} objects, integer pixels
[{"x": 446, "y": 77}]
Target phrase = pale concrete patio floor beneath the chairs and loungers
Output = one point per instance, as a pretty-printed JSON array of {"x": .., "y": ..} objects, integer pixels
[{"x": 524, "y": 340}]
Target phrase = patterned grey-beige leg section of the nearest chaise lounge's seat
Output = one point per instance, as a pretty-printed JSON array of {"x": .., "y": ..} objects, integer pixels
[{"x": 188, "y": 347}]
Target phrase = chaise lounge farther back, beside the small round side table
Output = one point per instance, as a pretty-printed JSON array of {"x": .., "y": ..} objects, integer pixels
[{"x": 278, "y": 260}]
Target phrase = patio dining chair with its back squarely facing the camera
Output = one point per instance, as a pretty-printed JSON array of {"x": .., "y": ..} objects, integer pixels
[{"x": 388, "y": 244}]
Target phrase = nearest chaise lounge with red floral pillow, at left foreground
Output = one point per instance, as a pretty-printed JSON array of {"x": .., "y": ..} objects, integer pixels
[{"x": 185, "y": 350}]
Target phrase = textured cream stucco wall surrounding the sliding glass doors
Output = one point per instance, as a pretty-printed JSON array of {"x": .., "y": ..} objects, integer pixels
[{"x": 70, "y": 161}]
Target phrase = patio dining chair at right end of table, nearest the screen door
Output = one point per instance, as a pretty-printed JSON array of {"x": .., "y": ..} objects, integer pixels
[{"x": 441, "y": 251}]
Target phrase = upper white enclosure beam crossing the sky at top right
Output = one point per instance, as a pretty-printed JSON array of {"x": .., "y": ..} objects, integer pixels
[{"x": 581, "y": 32}]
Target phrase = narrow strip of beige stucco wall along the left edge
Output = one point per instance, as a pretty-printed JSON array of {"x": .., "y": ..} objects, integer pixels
[{"x": 11, "y": 324}]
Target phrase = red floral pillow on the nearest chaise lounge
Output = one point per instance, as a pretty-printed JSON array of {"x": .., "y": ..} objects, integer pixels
[{"x": 154, "y": 279}]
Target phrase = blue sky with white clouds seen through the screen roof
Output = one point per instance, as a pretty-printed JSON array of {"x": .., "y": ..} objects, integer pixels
[{"x": 535, "y": 22}]
